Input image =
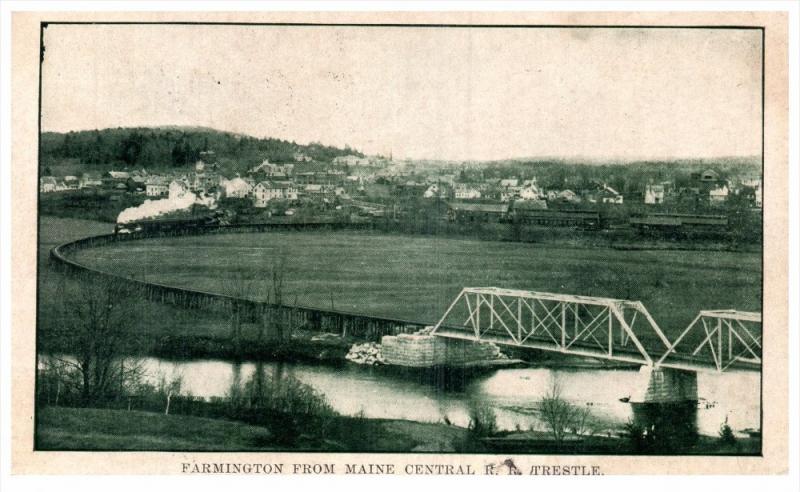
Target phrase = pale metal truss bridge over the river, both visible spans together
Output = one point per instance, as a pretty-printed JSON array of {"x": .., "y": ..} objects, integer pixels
[{"x": 612, "y": 329}]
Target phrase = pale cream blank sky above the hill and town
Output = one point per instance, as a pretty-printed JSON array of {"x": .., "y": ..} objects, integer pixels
[{"x": 421, "y": 93}]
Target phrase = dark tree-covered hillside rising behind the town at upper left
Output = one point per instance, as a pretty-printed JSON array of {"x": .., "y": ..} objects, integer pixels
[{"x": 168, "y": 148}]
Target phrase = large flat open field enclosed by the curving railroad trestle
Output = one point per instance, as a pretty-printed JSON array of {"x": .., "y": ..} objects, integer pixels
[{"x": 415, "y": 278}]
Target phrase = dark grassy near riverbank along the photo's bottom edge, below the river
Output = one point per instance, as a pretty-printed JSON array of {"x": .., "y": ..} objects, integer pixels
[{"x": 92, "y": 429}]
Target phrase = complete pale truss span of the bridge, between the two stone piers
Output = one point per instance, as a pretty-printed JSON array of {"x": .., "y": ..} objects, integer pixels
[{"x": 597, "y": 327}]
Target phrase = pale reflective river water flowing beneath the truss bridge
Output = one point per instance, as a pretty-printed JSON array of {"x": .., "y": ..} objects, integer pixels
[{"x": 511, "y": 393}]
